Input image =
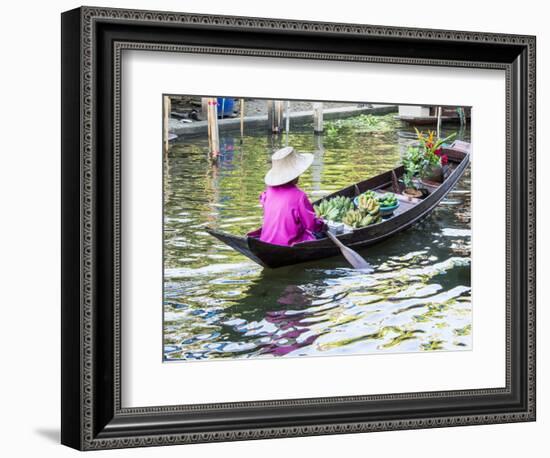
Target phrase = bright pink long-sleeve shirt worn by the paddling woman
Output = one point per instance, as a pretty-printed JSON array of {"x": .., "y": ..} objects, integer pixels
[{"x": 289, "y": 217}]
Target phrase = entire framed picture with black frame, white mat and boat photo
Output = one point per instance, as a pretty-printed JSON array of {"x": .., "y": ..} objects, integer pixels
[{"x": 277, "y": 228}]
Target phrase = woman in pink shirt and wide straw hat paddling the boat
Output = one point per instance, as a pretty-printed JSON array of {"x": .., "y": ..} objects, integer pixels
[{"x": 289, "y": 217}]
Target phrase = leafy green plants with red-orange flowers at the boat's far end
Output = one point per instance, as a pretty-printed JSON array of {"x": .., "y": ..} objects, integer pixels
[{"x": 424, "y": 161}]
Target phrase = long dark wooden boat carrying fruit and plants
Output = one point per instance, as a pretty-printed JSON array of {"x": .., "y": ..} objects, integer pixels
[{"x": 408, "y": 213}]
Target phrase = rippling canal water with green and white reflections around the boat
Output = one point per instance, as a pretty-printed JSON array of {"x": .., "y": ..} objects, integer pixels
[{"x": 219, "y": 304}]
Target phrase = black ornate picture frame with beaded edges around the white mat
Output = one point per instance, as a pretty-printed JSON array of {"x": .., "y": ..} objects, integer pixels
[{"x": 92, "y": 41}]
